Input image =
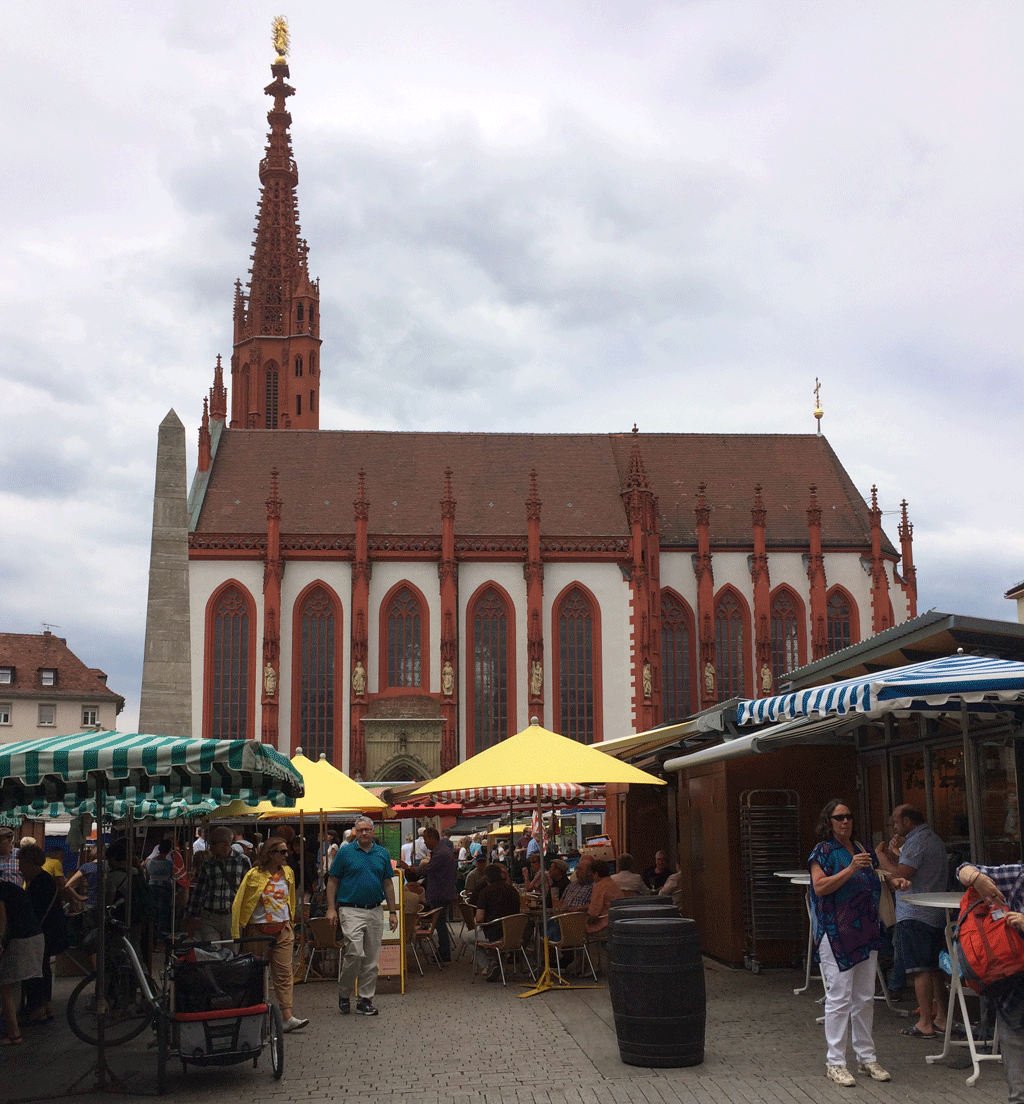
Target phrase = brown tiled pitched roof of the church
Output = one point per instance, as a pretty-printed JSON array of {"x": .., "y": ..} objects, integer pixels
[{"x": 580, "y": 481}]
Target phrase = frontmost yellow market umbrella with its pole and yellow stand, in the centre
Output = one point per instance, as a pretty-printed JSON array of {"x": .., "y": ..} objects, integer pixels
[{"x": 536, "y": 761}]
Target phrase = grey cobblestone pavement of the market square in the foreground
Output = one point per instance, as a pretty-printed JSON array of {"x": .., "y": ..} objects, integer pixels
[{"x": 451, "y": 1042}]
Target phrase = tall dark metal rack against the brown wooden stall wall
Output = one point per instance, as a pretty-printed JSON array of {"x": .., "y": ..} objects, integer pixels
[{"x": 770, "y": 834}]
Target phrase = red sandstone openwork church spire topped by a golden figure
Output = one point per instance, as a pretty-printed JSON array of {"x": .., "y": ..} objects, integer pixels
[{"x": 275, "y": 370}]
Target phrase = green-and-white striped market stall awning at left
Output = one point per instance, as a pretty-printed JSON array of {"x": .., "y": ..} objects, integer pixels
[{"x": 153, "y": 777}]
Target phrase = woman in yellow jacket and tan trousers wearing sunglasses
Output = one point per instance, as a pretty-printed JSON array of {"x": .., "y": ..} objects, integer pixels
[{"x": 265, "y": 906}]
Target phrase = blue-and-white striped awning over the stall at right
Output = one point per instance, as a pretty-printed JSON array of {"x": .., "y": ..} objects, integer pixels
[{"x": 936, "y": 686}]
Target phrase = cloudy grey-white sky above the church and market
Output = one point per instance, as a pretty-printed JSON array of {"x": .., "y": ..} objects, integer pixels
[{"x": 540, "y": 215}]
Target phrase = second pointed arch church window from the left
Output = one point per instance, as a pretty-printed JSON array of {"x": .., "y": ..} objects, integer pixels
[{"x": 318, "y": 665}]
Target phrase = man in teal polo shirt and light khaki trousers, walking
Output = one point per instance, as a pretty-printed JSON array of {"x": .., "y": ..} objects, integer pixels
[{"x": 359, "y": 878}]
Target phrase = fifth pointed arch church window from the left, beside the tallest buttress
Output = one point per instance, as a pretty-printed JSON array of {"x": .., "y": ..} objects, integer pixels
[{"x": 579, "y": 668}]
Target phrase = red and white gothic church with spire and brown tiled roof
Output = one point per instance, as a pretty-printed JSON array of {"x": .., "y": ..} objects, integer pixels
[{"x": 402, "y": 601}]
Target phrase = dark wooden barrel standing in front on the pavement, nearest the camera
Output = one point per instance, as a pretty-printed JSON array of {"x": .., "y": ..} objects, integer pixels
[{"x": 656, "y": 979}]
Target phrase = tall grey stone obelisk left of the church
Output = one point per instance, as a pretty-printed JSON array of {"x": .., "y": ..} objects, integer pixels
[{"x": 166, "y": 707}]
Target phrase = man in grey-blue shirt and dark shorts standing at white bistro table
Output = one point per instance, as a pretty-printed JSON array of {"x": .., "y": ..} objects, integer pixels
[{"x": 921, "y": 933}]
